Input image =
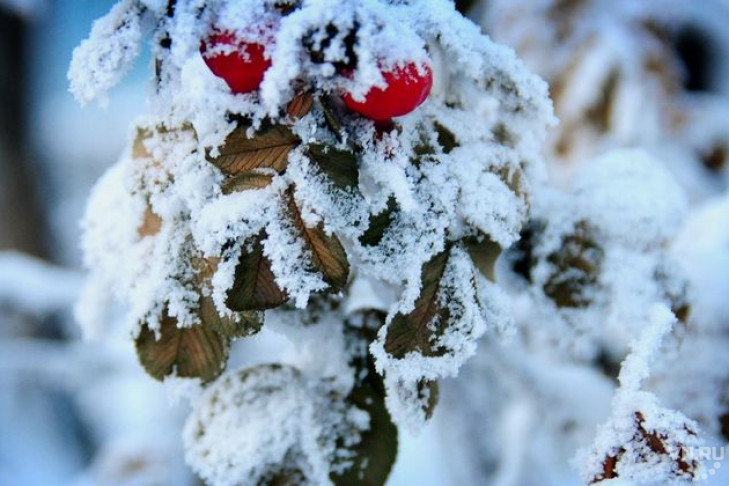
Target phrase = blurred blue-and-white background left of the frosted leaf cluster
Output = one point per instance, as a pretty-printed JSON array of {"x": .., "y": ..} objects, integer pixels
[{"x": 70, "y": 412}]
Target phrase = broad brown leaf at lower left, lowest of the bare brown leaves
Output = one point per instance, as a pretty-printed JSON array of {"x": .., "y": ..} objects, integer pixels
[{"x": 193, "y": 352}]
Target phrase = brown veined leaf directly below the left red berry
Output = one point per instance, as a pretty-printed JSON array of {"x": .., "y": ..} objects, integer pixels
[{"x": 269, "y": 148}]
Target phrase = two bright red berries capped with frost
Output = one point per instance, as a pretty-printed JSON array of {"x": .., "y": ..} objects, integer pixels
[{"x": 243, "y": 68}]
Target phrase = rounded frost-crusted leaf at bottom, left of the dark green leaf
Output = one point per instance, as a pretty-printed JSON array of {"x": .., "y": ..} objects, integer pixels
[{"x": 240, "y": 399}]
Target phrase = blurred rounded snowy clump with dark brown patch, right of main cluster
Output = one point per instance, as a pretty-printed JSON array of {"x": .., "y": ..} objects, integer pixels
[{"x": 597, "y": 252}]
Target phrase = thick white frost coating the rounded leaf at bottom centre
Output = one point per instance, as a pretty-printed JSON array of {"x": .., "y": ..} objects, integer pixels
[{"x": 230, "y": 440}]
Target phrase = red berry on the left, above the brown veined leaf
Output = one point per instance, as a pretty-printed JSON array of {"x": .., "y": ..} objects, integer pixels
[{"x": 242, "y": 68}]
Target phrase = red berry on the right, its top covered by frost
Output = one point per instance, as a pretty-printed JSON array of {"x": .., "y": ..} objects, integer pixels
[{"x": 406, "y": 89}]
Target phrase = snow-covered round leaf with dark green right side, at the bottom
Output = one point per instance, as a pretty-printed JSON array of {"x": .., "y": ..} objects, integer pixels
[{"x": 317, "y": 434}]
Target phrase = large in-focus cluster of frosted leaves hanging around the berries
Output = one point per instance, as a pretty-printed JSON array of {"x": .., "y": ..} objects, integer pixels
[{"x": 277, "y": 207}]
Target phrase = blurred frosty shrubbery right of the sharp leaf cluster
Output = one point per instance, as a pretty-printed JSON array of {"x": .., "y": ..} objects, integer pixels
[{"x": 622, "y": 260}]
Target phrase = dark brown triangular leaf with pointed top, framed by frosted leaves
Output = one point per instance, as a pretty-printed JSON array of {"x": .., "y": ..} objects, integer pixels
[{"x": 254, "y": 286}]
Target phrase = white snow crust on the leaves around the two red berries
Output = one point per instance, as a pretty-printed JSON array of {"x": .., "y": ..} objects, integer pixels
[{"x": 441, "y": 199}]
